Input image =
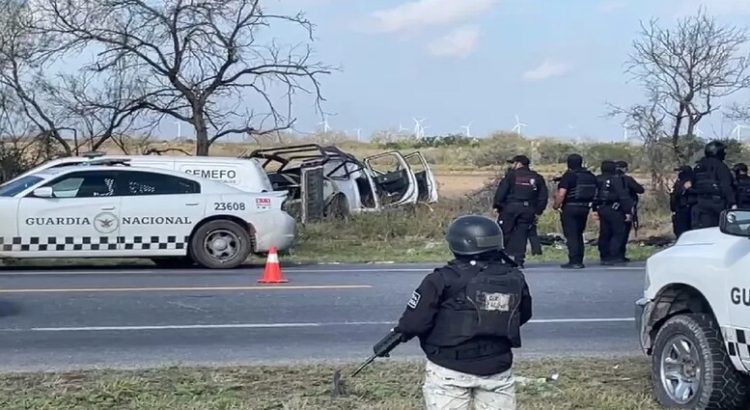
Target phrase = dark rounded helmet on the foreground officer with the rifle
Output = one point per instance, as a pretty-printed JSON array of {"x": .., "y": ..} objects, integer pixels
[{"x": 474, "y": 234}]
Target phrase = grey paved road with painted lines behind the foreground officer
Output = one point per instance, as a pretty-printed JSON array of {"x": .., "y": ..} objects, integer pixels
[{"x": 58, "y": 320}]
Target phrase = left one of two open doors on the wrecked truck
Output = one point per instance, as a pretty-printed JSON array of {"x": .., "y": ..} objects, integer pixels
[{"x": 394, "y": 179}]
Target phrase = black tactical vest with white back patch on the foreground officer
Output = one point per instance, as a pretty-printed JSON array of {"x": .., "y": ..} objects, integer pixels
[{"x": 483, "y": 302}]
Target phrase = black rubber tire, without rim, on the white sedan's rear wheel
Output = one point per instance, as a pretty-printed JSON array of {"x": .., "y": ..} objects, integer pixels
[{"x": 200, "y": 255}]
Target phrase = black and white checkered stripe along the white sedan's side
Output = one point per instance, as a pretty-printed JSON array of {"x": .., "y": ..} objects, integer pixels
[{"x": 89, "y": 243}]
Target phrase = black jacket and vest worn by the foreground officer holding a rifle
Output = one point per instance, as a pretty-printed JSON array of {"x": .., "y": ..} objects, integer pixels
[{"x": 458, "y": 326}]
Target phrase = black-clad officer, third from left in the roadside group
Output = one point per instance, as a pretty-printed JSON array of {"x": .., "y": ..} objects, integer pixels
[{"x": 613, "y": 207}]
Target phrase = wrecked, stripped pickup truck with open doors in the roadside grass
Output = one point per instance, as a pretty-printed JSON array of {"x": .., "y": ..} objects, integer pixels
[{"x": 324, "y": 181}]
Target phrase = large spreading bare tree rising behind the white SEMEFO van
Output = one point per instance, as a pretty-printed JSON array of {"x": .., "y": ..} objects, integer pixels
[{"x": 201, "y": 61}]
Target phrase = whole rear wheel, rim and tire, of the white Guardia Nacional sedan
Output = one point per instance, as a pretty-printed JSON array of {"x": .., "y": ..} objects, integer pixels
[{"x": 220, "y": 244}]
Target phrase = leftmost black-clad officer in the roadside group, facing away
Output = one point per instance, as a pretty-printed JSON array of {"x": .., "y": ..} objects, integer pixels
[{"x": 520, "y": 199}]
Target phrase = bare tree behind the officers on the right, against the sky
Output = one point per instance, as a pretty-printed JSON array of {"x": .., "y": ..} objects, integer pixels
[{"x": 686, "y": 70}]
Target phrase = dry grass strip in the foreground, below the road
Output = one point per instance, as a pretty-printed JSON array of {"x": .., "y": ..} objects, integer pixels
[{"x": 600, "y": 384}]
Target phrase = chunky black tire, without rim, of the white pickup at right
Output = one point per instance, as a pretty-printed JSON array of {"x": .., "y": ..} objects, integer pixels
[{"x": 721, "y": 385}]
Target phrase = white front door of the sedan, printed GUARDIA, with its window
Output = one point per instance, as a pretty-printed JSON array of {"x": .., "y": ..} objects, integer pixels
[{"x": 80, "y": 219}]
